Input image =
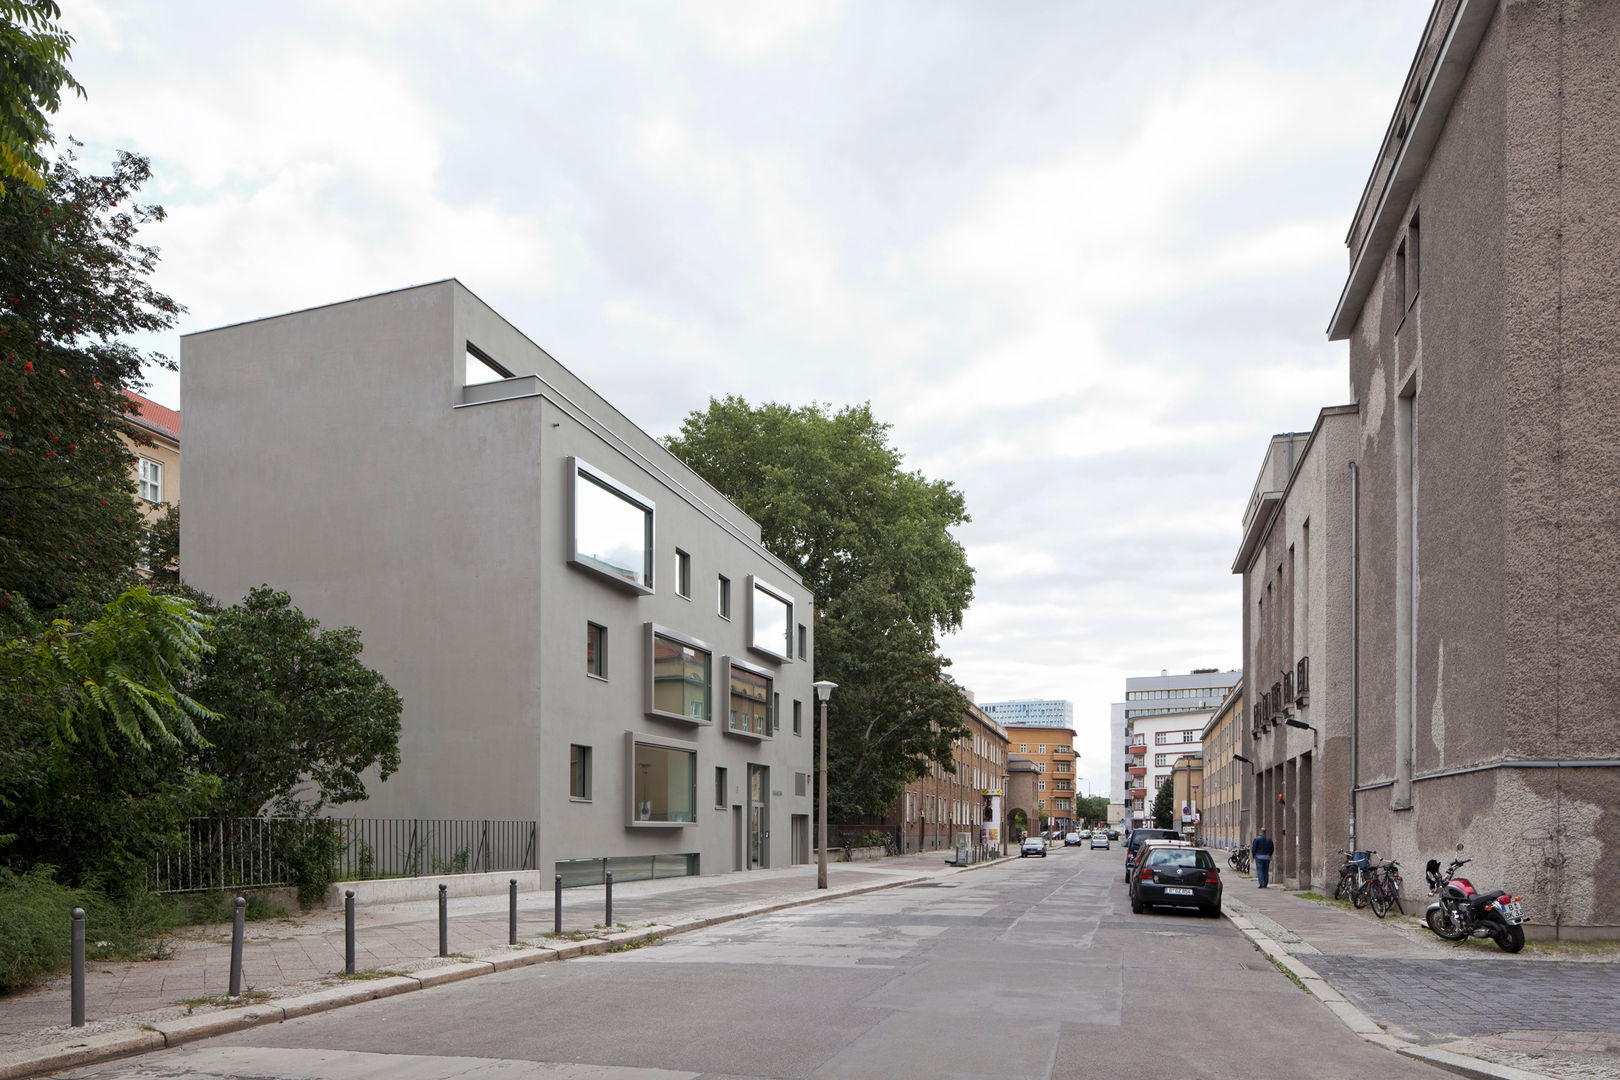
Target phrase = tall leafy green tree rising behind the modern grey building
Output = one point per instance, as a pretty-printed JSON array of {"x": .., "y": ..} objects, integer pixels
[{"x": 872, "y": 542}]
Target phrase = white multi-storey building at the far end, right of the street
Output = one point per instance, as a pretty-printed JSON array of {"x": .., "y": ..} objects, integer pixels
[{"x": 1161, "y": 720}]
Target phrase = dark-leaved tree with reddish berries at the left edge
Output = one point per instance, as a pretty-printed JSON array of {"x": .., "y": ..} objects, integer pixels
[{"x": 74, "y": 283}]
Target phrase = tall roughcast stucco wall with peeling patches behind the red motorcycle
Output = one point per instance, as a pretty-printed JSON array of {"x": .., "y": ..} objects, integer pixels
[{"x": 1506, "y": 352}]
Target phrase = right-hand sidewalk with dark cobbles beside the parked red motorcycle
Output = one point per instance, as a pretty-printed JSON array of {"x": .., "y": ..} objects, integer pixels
[{"x": 1467, "y": 1006}]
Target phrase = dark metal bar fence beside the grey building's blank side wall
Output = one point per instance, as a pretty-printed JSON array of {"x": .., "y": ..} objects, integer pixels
[{"x": 263, "y": 853}]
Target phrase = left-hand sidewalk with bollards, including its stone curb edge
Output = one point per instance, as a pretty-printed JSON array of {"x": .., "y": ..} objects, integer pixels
[{"x": 296, "y": 966}]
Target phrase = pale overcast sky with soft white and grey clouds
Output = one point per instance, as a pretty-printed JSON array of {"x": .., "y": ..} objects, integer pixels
[{"x": 1080, "y": 255}]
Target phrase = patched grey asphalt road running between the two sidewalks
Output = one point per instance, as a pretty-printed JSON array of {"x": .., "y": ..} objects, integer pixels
[{"x": 1030, "y": 969}]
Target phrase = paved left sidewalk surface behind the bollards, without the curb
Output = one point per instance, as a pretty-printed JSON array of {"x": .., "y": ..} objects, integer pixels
[{"x": 304, "y": 955}]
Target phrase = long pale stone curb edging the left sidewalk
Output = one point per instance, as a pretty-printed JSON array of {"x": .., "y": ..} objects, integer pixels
[{"x": 168, "y": 1034}]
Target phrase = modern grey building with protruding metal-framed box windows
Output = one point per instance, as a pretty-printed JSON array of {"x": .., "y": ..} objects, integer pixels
[{"x": 586, "y": 634}]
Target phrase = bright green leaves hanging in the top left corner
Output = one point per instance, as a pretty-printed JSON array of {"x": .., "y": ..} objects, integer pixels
[{"x": 33, "y": 72}]
